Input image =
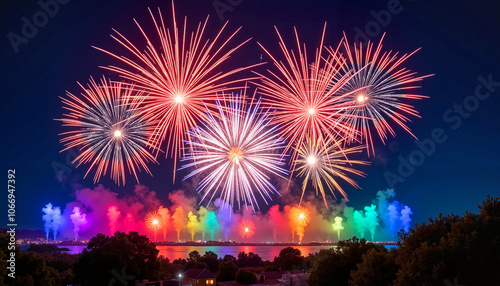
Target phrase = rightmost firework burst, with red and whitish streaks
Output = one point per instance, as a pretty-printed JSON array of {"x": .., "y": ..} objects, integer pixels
[{"x": 386, "y": 89}]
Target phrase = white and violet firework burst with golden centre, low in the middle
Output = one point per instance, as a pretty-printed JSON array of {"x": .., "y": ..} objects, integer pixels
[{"x": 238, "y": 151}]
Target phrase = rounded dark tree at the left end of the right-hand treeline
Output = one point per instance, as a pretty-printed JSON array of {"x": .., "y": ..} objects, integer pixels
[{"x": 333, "y": 266}]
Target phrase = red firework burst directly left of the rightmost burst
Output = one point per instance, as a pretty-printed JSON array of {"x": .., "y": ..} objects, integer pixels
[{"x": 306, "y": 103}]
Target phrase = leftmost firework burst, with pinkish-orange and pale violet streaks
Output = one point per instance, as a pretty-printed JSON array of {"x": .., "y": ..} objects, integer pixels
[{"x": 109, "y": 135}]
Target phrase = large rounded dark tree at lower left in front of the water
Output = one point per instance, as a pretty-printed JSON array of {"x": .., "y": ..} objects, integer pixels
[{"x": 131, "y": 255}]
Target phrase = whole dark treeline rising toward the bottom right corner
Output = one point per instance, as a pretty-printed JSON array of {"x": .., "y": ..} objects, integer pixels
[{"x": 448, "y": 250}]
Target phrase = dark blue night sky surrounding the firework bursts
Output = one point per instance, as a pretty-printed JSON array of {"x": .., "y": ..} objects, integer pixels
[{"x": 460, "y": 42}]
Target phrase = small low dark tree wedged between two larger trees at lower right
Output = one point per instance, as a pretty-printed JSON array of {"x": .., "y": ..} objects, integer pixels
[{"x": 377, "y": 268}]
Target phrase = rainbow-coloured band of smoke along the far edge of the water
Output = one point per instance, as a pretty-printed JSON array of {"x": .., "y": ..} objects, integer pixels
[{"x": 180, "y": 219}]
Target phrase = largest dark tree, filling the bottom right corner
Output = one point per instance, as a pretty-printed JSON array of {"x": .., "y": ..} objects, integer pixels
[{"x": 451, "y": 247}]
